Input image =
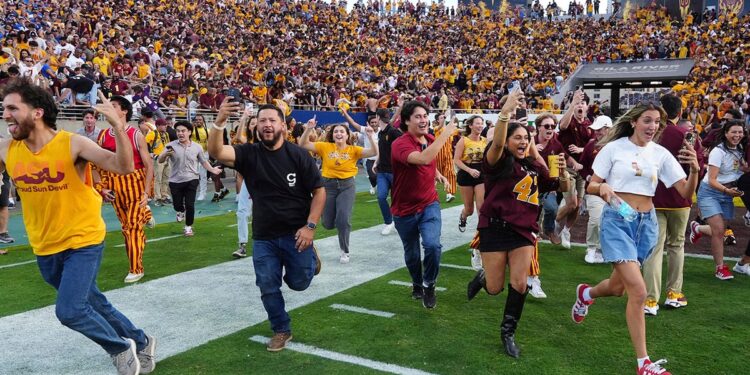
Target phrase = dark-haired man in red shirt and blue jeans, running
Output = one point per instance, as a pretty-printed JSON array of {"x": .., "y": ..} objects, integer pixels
[{"x": 415, "y": 207}]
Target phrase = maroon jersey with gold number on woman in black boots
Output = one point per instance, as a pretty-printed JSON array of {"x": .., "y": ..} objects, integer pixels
[{"x": 515, "y": 198}]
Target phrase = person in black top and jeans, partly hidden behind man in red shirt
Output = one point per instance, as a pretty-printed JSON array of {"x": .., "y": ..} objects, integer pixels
[{"x": 383, "y": 168}]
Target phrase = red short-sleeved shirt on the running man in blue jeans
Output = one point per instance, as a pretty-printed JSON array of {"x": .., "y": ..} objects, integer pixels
[{"x": 413, "y": 185}]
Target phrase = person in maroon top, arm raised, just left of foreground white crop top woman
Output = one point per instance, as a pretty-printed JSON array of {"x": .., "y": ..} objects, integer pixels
[{"x": 574, "y": 135}]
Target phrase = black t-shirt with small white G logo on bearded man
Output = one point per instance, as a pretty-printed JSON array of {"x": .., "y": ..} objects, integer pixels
[{"x": 281, "y": 183}]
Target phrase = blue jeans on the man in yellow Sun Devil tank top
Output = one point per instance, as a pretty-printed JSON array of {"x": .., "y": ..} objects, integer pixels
[{"x": 80, "y": 305}]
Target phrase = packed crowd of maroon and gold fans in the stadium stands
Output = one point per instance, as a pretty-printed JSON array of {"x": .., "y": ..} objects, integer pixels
[{"x": 312, "y": 54}]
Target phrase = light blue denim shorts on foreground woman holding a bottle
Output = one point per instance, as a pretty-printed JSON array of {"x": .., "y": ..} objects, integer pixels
[{"x": 624, "y": 241}]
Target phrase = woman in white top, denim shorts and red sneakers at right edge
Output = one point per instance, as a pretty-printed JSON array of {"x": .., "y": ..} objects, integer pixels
[{"x": 726, "y": 163}]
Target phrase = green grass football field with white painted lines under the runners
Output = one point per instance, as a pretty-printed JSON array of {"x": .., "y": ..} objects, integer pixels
[{"x": 205, "y": 311}]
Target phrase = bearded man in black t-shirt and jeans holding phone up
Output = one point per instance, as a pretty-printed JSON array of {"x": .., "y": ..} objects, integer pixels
[{"x": 288, "y": 197}]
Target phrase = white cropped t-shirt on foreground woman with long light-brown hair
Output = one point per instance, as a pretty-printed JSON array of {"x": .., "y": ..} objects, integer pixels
[{"x": 629, "y": 168}]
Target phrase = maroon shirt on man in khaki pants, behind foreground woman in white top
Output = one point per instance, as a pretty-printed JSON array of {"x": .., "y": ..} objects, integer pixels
[{"x": 671, "y": 138}]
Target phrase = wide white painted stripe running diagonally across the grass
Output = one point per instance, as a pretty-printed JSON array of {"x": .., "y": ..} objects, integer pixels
[{"x": 189, "y": 309}]
